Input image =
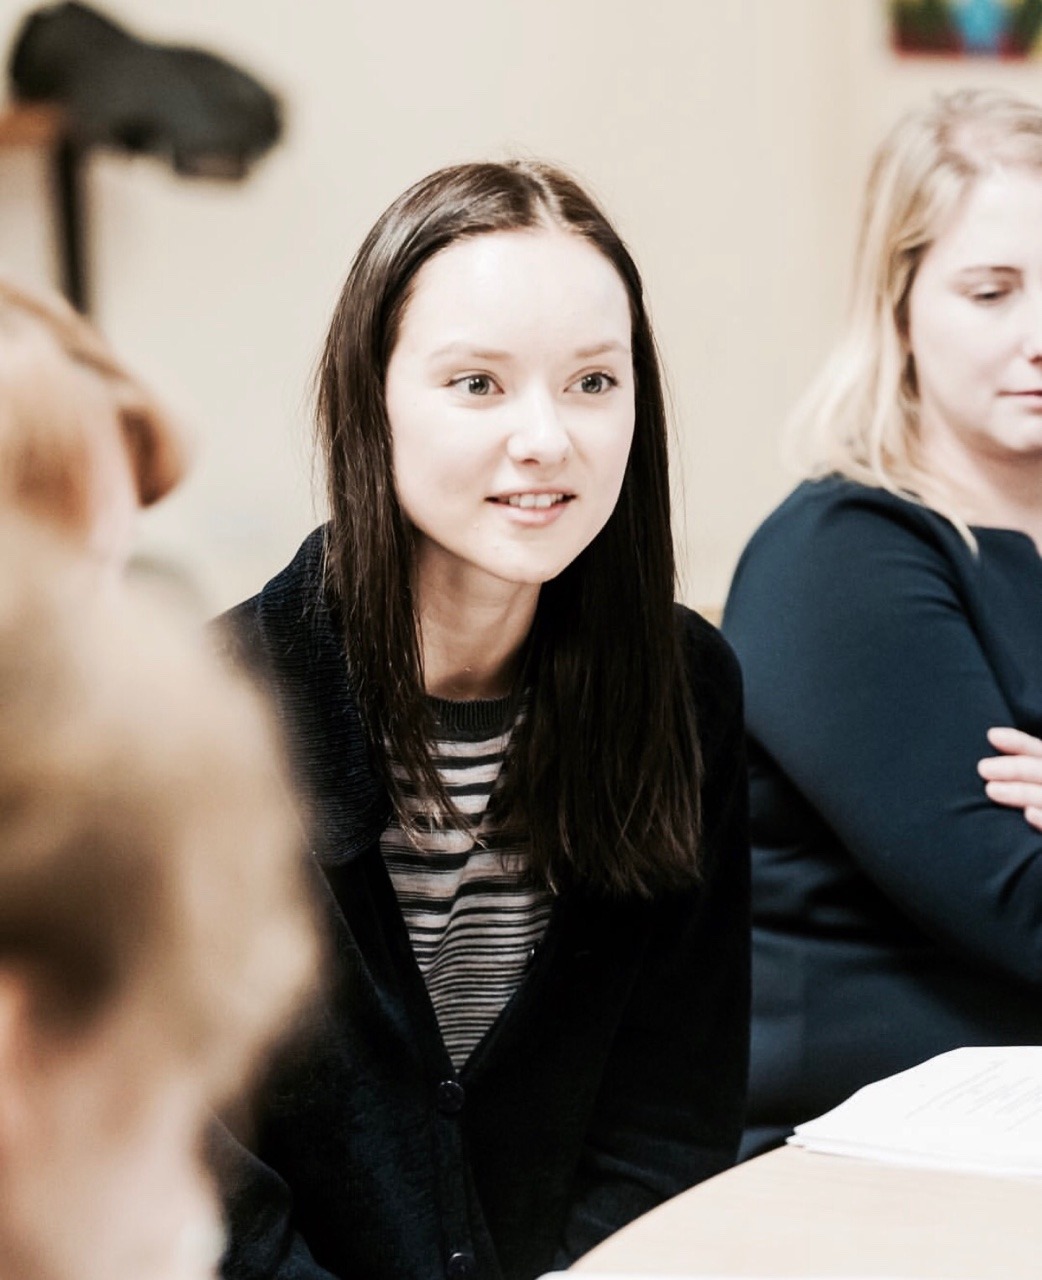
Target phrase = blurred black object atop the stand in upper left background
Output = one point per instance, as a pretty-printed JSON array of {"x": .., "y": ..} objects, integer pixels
[{"x": 199, "y": 112}]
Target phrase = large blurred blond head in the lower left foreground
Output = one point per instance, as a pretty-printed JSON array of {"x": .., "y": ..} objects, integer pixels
[{"x": 156, "y": 925}]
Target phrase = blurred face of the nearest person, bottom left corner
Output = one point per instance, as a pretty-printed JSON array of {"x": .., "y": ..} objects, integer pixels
[{"x": 102, "y": 1174}]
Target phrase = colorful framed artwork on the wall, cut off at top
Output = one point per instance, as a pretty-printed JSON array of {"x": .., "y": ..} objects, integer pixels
[{"x": 967, "y": 29}]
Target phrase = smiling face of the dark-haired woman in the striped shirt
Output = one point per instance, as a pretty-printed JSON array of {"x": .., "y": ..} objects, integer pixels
[{"x": 511, "y": 404}]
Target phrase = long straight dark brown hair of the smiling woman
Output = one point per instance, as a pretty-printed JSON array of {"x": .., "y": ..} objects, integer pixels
[{"x": 604, "y": 774}]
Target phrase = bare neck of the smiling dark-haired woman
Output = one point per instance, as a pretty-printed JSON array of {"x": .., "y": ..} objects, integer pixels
[{"x": 472, "y": 639}]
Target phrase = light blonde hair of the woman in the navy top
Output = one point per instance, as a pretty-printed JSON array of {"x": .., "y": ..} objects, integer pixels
[{"x": 860, "y": 419}]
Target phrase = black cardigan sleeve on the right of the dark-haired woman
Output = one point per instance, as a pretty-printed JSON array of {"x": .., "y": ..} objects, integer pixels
[{"x": 670, "y": 1107}]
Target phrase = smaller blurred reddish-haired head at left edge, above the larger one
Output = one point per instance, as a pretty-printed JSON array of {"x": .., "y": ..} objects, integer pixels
[{"x": 83, "y": 445}]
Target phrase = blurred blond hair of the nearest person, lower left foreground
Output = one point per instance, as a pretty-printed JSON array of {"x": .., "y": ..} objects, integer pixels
[{"x": 150, "y": 853}]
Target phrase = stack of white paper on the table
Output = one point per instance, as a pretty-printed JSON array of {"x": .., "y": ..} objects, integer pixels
[{"x": 975, "y": 1110}]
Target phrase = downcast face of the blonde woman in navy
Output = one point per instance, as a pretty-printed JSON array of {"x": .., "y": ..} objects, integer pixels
[{"x": 976, "y": 330}]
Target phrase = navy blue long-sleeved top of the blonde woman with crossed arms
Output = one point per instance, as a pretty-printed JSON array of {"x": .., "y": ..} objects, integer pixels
[{"x": 898, "y": 912}]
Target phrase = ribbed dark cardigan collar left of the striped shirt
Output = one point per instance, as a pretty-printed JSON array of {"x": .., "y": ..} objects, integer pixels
[{"x": 307, "y": 656}]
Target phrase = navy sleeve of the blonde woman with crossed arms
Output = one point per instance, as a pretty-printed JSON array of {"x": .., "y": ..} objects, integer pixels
[{"x": 869, "y": 687}]
